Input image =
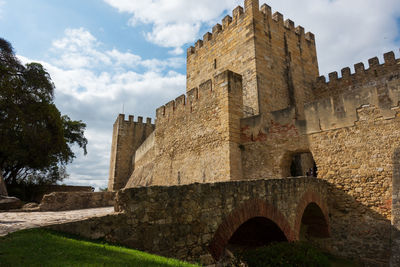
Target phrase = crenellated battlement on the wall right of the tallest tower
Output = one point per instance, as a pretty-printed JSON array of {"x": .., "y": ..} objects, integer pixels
[{"x": 336, "y": 84}]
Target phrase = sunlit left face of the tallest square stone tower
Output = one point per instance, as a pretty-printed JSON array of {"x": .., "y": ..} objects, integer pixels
[{"x": 229, "y": 46}]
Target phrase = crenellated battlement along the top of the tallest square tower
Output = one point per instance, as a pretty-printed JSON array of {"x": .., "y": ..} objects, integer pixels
[{"x": 234, "y": 22}]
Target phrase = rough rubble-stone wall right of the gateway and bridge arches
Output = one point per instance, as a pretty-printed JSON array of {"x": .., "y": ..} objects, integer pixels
[{"x": 358, "y": 162}]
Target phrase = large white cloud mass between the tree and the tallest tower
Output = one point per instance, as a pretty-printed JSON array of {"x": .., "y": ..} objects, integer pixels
[{"x": 92, "y": 85}]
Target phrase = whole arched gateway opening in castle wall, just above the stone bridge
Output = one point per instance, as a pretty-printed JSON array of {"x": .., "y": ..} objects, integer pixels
[{"x": 295, "y": 164}]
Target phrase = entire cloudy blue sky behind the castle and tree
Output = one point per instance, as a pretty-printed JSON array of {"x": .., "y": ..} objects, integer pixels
[{"x": 109, "y": 56}]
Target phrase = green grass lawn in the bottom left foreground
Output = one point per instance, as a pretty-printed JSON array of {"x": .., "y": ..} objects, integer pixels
[{"x": 39, "y": 247}]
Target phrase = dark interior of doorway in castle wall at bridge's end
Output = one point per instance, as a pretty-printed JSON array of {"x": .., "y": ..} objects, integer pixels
[{"x": 303, "y": 164}]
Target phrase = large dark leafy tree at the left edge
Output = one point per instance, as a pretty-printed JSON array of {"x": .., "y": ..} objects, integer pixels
[{"x": 35, "y": 138}]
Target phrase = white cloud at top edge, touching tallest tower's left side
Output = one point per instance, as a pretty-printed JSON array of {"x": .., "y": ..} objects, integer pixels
[{"x": 175, "y": 22}]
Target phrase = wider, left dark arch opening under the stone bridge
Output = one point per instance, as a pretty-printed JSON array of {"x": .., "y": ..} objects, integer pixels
[{"x": 256, "y": 232}]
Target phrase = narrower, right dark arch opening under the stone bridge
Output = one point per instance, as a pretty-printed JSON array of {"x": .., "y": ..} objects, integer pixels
[{"x": 313, "y": 223}]
